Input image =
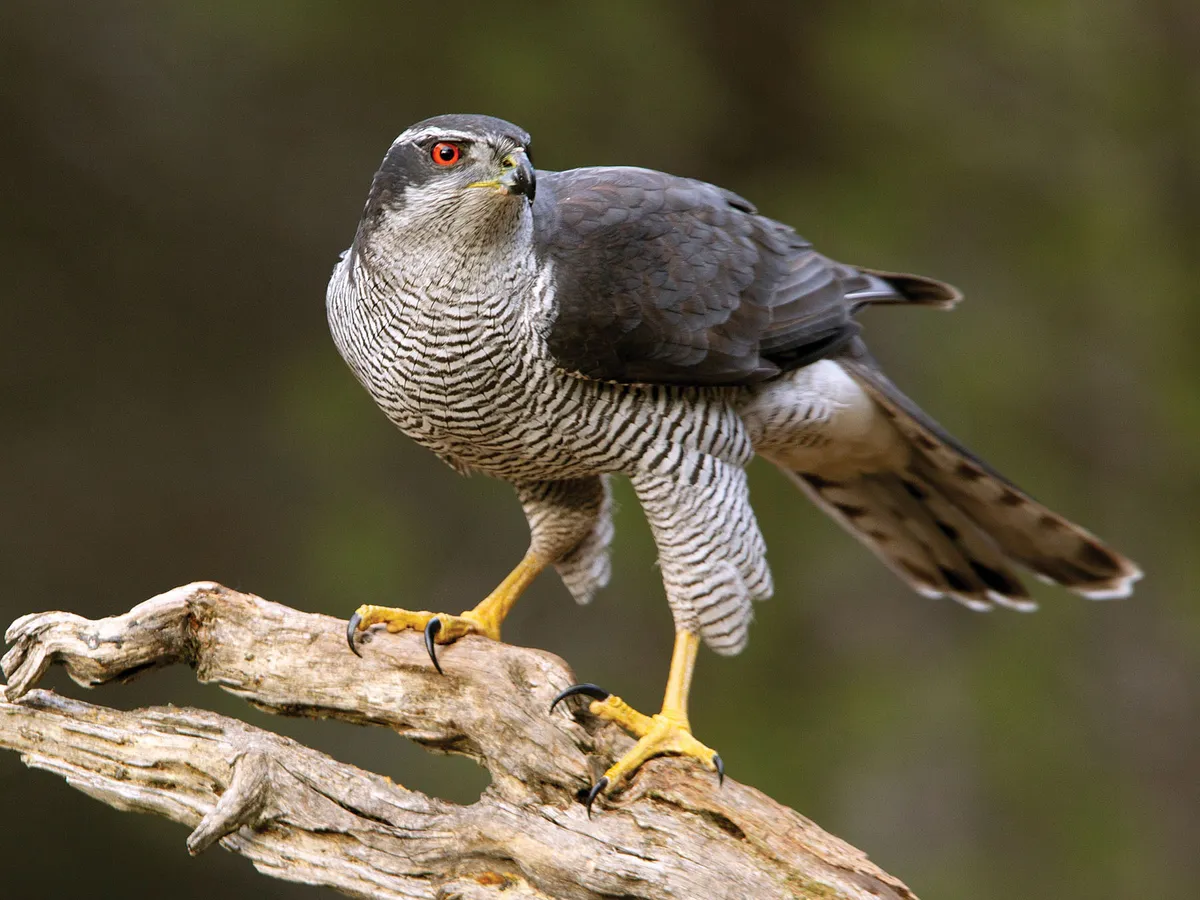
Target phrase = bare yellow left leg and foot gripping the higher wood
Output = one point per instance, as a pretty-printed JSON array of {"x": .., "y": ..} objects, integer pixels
[{"x": 443, "y": 628}]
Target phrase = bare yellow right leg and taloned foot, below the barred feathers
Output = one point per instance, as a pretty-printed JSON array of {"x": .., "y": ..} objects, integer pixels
[{"x": 669, "y": 733}]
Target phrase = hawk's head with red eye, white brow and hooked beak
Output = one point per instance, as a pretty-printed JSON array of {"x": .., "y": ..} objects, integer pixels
[{"x": 460, "y": 178}]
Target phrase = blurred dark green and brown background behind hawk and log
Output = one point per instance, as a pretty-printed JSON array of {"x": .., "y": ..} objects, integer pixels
[{"x": 178, "y": 179}]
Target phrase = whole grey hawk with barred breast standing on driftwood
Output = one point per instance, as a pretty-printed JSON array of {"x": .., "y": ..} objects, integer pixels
[{"x": 554, "y": 329}]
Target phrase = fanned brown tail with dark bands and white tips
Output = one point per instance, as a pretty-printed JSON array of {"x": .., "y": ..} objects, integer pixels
[{"x": 949, "y": 524}]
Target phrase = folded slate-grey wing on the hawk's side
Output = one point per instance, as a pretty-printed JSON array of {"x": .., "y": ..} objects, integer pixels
[{"x": 667, "y": 280}]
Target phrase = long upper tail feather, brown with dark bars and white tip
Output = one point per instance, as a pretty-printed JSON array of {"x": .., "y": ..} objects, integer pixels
[{"x": 1022, "y": 529}]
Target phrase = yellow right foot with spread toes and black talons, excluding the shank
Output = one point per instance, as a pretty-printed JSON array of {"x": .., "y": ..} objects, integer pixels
[{"x": 667, "y": 734}]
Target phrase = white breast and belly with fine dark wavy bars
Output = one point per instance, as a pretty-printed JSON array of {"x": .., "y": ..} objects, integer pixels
[{"x": 467, "y": 376}]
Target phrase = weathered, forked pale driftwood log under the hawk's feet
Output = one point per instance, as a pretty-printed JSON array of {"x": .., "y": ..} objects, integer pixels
[{"x": 301, "y": 815}]
